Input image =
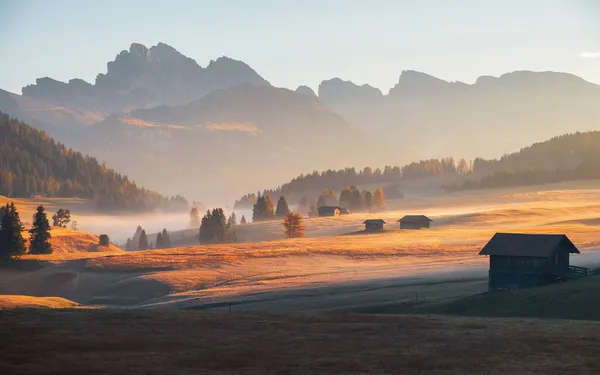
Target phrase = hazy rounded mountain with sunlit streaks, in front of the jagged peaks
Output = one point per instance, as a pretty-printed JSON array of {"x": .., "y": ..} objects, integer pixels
[{"x": 233, "y": 141}]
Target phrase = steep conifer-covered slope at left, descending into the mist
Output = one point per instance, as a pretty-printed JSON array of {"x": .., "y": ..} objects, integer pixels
[{"x": 32, "y": 163}]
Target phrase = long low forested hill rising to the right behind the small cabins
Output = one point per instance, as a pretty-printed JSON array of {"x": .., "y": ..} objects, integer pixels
[{"x": 563, "y": 158}]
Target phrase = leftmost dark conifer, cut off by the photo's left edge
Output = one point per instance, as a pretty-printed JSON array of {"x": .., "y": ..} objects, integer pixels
[{"x": 12, "y": 243}]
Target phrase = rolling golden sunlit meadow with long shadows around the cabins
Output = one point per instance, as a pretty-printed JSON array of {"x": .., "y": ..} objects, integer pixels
[{"x": 334, "y": 256}]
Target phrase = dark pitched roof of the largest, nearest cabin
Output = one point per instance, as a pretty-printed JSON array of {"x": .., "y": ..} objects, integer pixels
[{"x": 527, "y": 245}]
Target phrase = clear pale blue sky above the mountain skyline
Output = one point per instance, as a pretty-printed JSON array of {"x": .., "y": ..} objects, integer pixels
[{"x": 293, "y": 42}]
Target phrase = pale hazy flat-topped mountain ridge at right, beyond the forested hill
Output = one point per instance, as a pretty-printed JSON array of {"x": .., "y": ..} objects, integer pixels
[{"x": 487, "y": 118}]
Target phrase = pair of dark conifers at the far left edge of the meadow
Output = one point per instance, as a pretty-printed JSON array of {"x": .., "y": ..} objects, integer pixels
[{"x": 12, "y": 243}]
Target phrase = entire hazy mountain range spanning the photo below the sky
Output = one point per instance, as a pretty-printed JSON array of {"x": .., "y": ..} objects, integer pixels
[{"x": 215, "y": 132}]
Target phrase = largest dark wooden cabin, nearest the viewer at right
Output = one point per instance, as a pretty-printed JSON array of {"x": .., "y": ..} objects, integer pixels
[{"x": 526, "y": 260}]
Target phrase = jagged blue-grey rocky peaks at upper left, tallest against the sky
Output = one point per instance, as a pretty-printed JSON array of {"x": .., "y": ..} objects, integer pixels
[{"x": 142, "y": 78}]
